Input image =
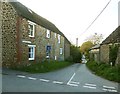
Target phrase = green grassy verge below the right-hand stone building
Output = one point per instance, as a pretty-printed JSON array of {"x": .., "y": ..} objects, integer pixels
[{"x": 104, "y": 70}]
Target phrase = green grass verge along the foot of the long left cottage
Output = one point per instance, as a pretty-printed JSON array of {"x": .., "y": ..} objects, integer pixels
[{"x": 43, "y": 67}]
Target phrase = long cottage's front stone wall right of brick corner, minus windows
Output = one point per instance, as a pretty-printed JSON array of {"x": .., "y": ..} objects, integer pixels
[{"x": 41, "y": 42}]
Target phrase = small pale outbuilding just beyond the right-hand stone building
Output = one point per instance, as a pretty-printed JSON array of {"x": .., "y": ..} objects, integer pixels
[{"x": 95, "y": 53}]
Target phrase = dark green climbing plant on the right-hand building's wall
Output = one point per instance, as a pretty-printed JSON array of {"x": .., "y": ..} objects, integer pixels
[{"x": 113, "y": 53}]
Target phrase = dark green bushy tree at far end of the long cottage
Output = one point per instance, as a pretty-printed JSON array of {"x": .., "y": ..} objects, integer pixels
[{"x": 75, "y": 53}]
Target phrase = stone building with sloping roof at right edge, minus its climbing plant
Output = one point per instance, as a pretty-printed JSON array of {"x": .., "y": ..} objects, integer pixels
[{"x": 113, "y": 38}]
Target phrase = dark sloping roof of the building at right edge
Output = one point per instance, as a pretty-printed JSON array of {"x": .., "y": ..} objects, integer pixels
[{"x": 114, "y": 37}]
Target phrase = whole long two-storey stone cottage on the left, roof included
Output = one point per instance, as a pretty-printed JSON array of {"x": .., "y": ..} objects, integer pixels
[{"x": 28, "y": 37}]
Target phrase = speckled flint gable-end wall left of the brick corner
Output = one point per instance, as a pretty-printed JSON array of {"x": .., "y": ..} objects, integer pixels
[{"x": 9, "y": 37}]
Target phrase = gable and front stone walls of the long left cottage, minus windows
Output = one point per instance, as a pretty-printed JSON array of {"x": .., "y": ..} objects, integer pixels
[{"x": 15, "y": 31}]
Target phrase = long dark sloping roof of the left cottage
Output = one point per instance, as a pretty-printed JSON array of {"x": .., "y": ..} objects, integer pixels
[{"x": 32, "y": 16}]
